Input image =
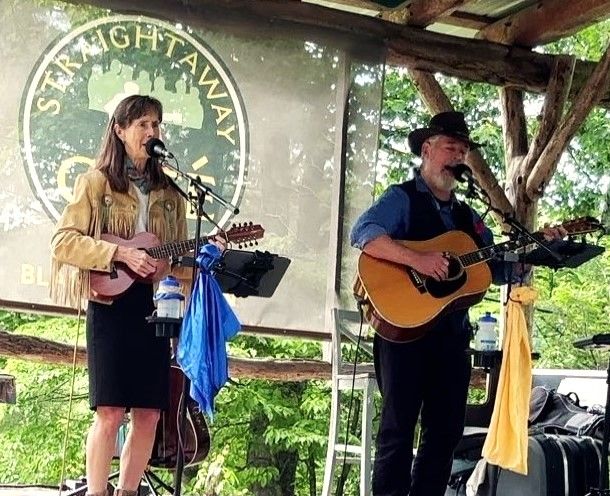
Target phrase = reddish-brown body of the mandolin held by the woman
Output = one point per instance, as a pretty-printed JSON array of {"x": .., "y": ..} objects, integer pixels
[{"x": 112, "y": 284}]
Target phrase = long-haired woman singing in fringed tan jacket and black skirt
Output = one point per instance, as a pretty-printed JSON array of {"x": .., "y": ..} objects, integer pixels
[{"x": 126, "y": 193}]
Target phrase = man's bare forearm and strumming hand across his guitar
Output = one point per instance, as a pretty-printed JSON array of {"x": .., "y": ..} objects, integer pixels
[{"x": 433, "y": 263}]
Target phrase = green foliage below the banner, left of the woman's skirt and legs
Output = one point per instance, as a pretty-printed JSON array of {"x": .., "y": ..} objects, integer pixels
[{"x": 32, "y": 431}]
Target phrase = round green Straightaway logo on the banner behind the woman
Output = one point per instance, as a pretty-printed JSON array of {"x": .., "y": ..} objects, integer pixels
[{"x": 77, "y": 84}]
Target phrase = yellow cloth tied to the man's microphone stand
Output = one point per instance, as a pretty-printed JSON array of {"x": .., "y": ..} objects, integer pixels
[{"x": 506, "y": 441}]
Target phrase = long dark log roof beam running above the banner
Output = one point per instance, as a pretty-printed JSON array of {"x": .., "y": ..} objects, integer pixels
[{"x": 471, "y": 60}]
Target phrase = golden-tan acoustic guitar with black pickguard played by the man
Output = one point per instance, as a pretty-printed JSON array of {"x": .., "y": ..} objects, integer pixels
[{"x": 402, "y": 305}]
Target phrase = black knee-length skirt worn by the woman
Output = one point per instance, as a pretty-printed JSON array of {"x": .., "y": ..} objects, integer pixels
[{"x": 128, "y": 363}]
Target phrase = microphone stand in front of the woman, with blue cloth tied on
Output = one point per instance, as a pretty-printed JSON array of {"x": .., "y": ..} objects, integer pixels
[{"x": 197, "y": 202}]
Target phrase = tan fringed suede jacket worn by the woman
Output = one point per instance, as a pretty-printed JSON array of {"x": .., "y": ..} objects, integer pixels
[{"x": 76, "y": 246}]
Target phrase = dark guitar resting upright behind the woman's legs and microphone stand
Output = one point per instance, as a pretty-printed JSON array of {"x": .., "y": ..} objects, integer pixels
[{"x": 196, "y": 436}]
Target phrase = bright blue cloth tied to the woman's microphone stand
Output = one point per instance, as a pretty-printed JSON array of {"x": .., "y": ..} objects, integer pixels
[{"x": 209, "y": 322}]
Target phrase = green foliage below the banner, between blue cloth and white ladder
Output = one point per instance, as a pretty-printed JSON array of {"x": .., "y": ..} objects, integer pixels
[{"x": 293, "y": 417}]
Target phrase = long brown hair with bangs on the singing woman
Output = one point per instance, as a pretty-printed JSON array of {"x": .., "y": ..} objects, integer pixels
[{"x": 111, "y": 158}]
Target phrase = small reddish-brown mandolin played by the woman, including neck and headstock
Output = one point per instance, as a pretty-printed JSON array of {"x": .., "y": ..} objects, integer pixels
[{"x": 112, "y": 284}]
